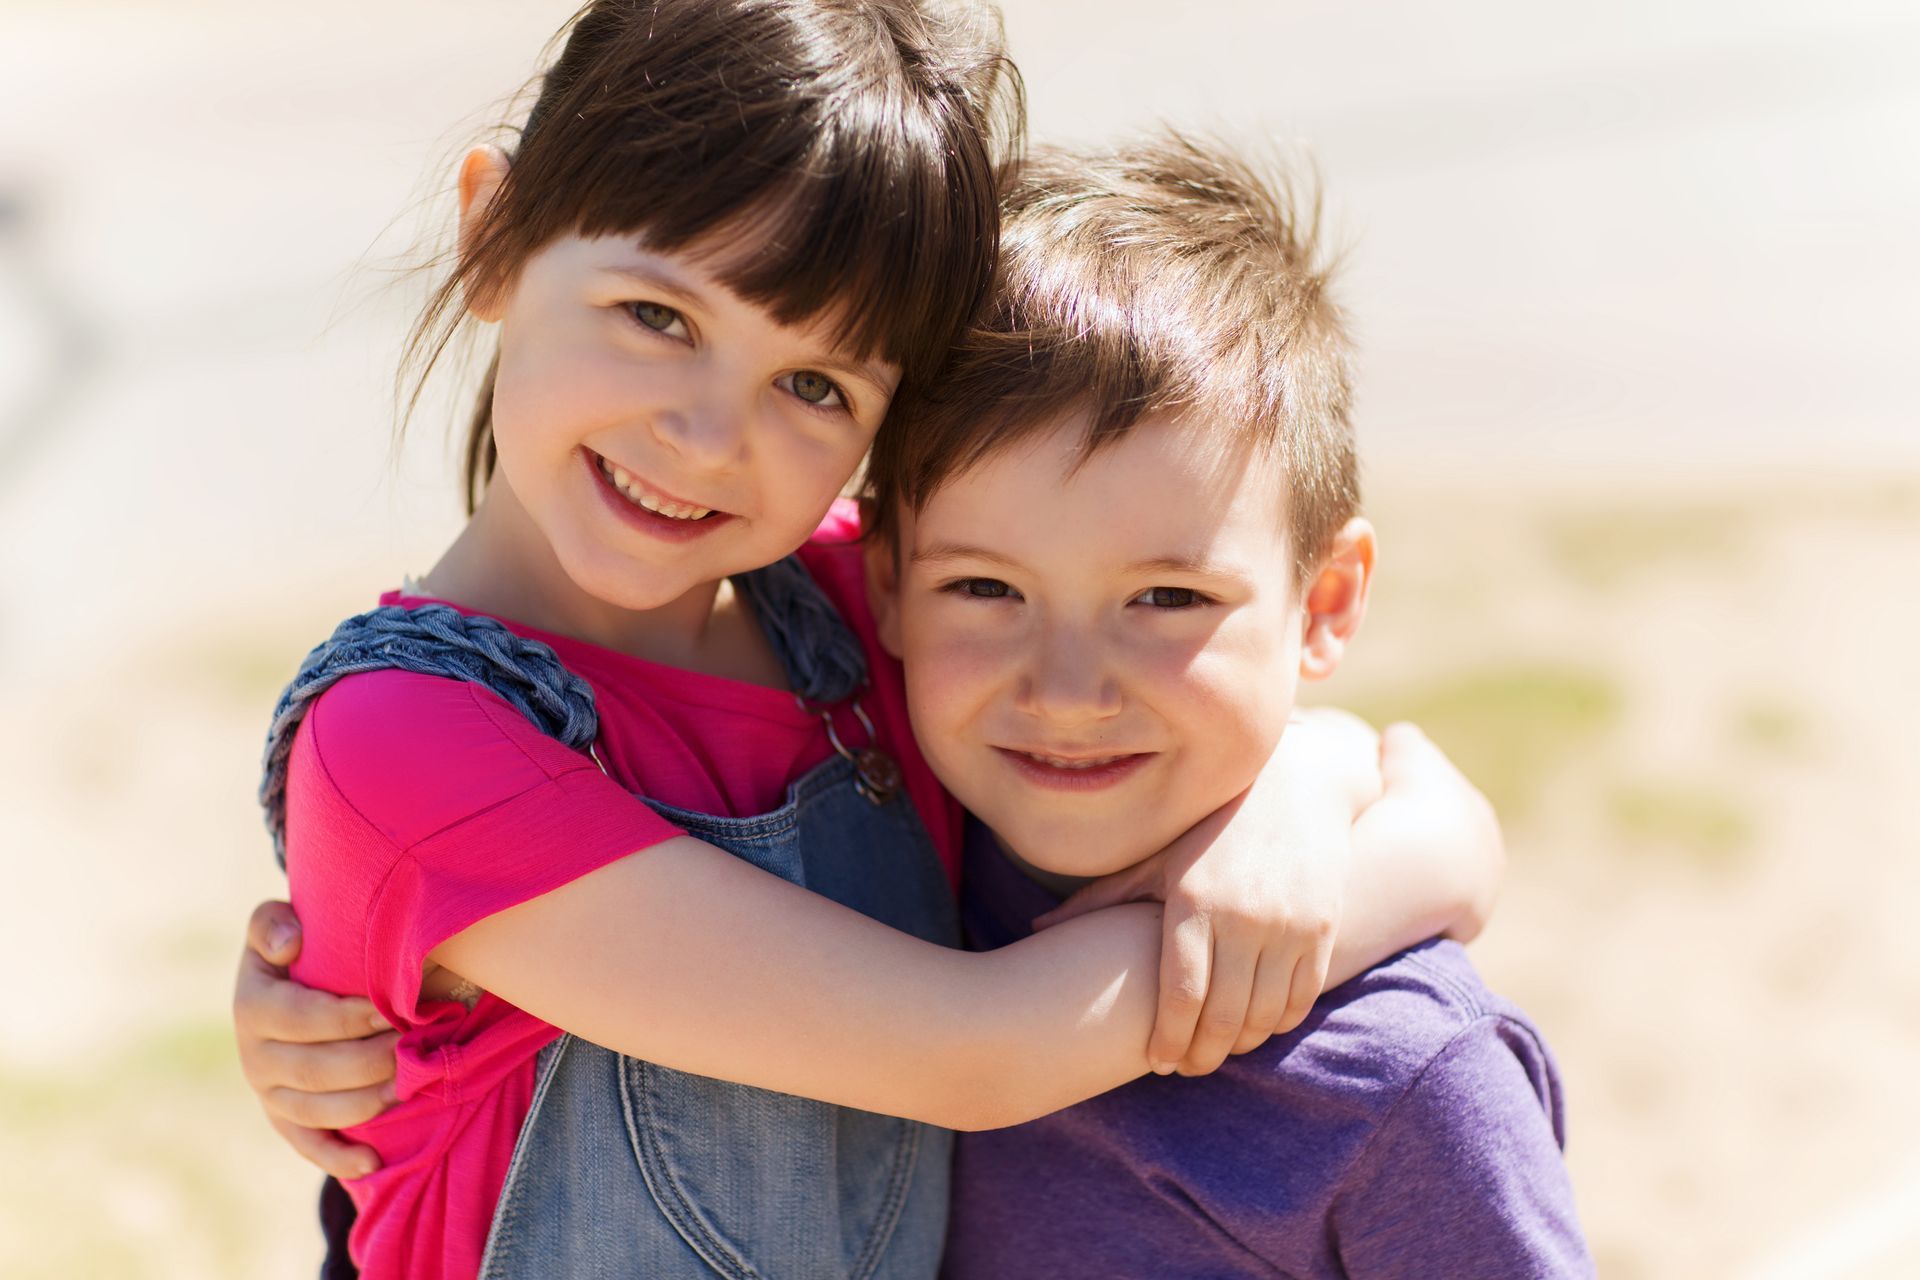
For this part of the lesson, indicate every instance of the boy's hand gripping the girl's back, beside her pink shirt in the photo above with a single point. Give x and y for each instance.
(308, 1055)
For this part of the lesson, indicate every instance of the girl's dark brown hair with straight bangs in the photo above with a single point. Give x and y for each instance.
(844, 149)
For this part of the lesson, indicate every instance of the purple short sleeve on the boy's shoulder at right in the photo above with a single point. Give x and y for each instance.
(1466, 1175)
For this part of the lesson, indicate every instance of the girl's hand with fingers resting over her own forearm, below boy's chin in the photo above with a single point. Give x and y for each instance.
(1255, 895)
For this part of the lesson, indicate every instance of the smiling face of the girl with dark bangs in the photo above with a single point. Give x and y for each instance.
(660, 431)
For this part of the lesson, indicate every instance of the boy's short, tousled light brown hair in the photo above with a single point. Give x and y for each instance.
(1163, 277)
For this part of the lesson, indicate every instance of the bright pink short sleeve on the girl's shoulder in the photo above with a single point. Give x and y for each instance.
(418, 807)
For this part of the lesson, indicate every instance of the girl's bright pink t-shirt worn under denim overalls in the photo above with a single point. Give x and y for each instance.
(418, 807)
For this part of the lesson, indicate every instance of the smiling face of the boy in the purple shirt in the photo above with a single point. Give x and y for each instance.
(1101, 657)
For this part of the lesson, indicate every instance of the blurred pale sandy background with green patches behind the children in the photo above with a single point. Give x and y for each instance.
(1637, 293)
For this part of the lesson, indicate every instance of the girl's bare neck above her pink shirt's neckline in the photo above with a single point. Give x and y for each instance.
(502, 565)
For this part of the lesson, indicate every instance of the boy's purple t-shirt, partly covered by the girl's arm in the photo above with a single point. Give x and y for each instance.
(1410, 1127)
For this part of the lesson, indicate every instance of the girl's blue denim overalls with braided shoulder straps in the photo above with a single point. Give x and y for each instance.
(633, 1170)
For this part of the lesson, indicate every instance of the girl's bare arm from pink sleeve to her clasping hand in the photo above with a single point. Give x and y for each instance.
(688, 957)
